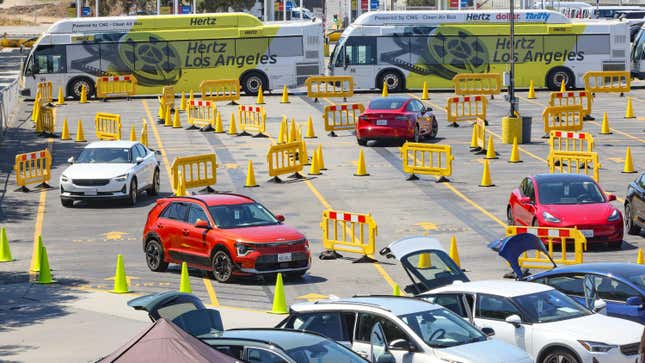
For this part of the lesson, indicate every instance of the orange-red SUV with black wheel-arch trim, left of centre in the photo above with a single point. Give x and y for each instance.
(228, 234)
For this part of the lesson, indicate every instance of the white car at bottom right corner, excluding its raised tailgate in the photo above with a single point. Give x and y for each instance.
(549, 325)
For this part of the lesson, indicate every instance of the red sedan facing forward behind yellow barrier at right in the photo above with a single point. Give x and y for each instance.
(567, 201)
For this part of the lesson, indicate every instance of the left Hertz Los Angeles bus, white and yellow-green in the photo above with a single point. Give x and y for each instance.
(175, 50)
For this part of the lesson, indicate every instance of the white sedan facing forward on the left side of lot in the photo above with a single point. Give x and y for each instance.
(110, 170)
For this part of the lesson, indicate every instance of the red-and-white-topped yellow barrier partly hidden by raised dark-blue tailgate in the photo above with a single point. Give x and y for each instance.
(548, 236)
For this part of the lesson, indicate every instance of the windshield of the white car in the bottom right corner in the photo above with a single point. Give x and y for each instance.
(550, 305)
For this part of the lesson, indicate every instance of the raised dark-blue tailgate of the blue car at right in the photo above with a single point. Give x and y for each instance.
(512, 247)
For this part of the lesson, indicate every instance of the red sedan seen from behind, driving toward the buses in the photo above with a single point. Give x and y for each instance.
(401, 118)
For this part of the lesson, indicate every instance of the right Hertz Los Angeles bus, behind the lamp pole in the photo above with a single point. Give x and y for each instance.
(406, 48)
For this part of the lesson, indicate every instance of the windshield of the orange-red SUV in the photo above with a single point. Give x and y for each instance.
(241, 215)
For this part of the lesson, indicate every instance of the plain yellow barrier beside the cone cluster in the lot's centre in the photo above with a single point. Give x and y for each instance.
(286, 158)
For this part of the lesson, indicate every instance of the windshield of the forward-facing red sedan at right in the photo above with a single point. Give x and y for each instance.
(569, 192)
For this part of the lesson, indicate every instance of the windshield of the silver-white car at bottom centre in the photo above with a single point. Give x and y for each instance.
(441, 328)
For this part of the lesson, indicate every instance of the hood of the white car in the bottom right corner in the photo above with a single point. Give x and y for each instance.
(597, 328)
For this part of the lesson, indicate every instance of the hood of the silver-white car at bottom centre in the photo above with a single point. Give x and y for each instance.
(488, 351)
